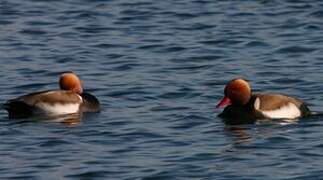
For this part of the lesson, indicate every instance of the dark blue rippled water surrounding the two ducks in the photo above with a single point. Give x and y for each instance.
(159, 68)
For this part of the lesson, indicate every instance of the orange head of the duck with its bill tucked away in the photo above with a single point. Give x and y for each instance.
(69, 81)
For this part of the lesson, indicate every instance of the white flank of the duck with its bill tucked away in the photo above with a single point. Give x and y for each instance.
(59, 108)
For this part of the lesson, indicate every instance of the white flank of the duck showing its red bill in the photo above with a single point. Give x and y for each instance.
(290, 111)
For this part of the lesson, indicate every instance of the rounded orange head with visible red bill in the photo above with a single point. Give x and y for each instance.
(236, 92)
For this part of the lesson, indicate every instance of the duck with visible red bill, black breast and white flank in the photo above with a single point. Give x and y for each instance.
(243, 107)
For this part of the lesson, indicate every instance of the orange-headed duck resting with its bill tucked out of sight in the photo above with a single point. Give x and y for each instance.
(69, 99)
